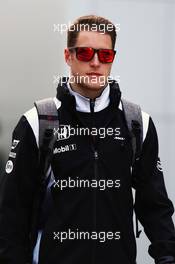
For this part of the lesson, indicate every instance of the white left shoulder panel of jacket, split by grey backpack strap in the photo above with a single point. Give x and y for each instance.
(32, 118)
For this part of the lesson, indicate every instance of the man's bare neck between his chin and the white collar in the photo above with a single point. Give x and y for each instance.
(87, 92)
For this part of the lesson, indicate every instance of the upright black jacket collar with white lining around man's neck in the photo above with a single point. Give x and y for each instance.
(110, 95)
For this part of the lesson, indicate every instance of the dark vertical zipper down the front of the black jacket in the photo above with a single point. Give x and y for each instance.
(95, 152)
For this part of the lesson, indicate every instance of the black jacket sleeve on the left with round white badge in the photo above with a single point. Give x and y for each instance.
(17, 192)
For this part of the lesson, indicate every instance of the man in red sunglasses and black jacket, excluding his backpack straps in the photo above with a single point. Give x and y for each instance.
(89, 216)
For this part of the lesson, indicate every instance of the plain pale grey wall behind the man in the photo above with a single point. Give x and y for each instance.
(32, 53)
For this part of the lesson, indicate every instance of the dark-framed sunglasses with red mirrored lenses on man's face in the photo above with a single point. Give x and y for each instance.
(86, 54)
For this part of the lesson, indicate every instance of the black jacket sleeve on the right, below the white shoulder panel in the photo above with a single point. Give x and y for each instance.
(152, 205)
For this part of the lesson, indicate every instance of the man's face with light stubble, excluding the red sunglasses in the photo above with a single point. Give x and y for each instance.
(92, 74)
